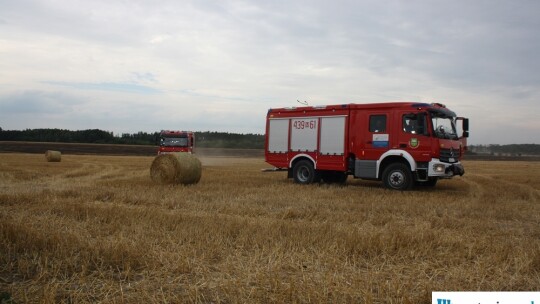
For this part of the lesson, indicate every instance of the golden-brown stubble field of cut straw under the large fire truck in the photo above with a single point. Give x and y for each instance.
(96, 229)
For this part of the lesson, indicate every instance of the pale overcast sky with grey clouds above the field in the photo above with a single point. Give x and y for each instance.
(140, 65)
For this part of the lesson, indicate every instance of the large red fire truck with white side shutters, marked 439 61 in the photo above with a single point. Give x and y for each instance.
(400, 143)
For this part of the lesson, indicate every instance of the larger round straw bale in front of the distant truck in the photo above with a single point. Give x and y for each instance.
(176, 168)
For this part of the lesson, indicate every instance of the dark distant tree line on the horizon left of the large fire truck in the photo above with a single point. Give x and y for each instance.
(202, 139)
